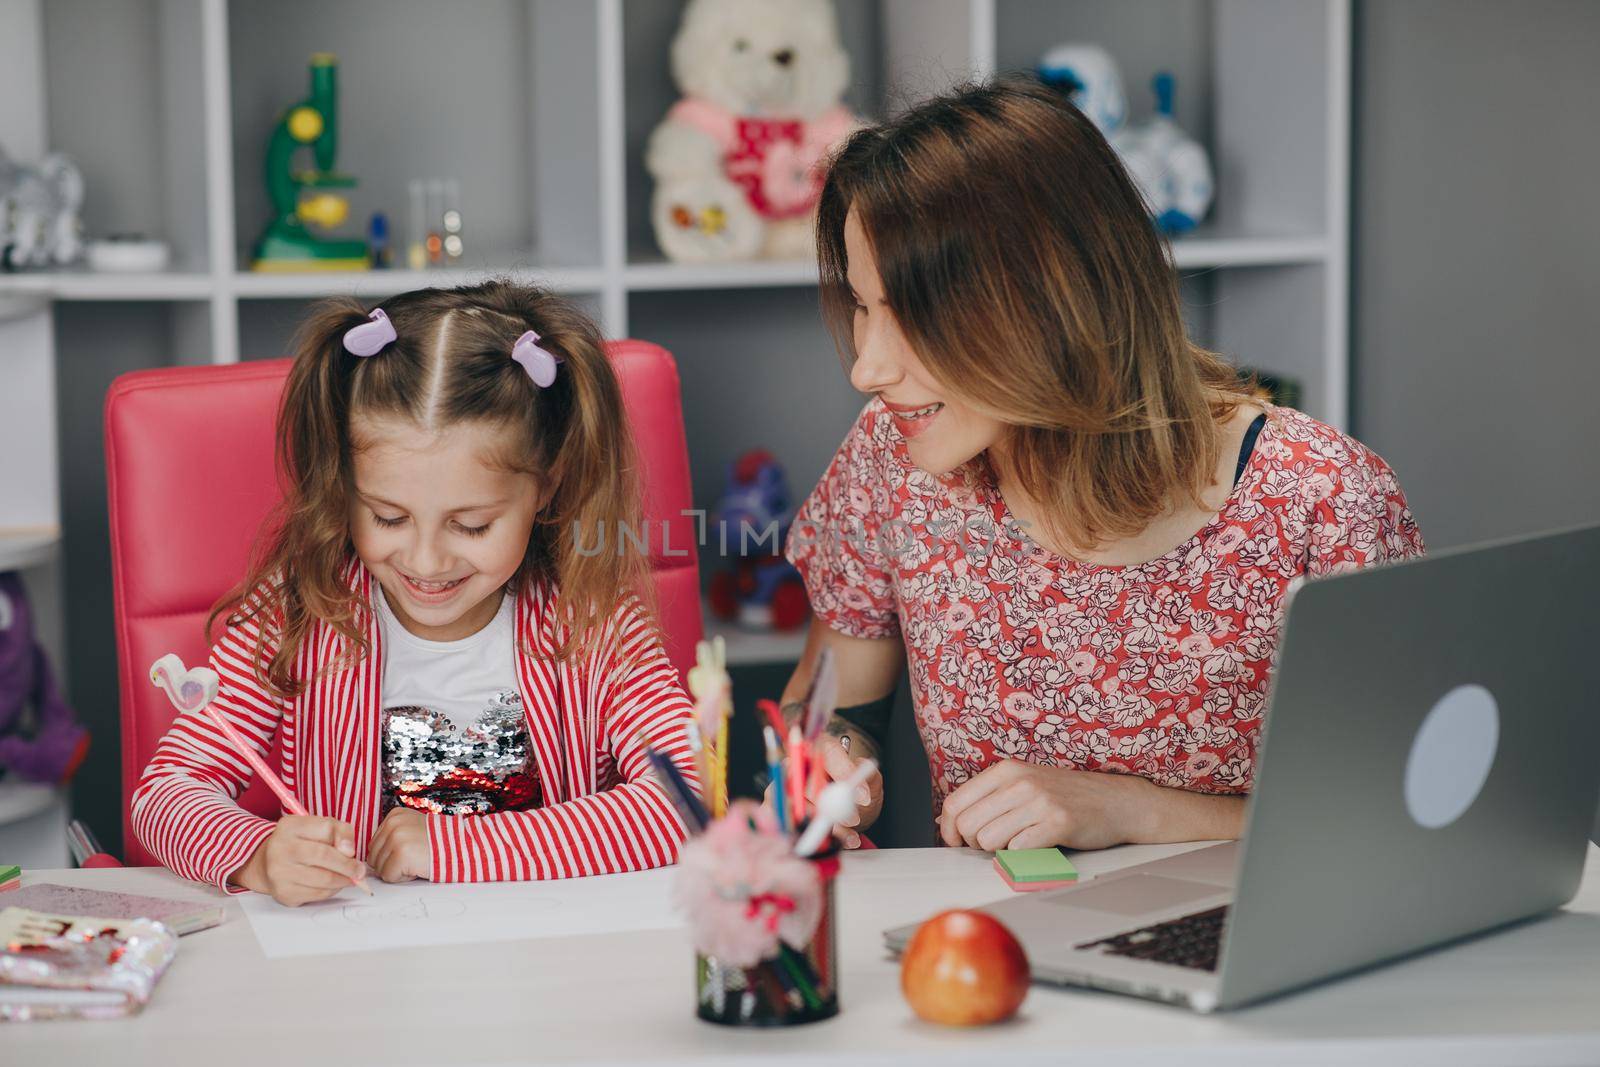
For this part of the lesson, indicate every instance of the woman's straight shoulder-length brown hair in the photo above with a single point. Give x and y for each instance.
(1023, 268)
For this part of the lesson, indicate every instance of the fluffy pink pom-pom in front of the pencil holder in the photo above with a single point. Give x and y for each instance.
(745, 890)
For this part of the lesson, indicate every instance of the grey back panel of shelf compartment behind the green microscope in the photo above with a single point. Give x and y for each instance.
(498, 95)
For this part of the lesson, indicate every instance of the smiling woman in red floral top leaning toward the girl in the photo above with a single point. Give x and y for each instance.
(1076, 526)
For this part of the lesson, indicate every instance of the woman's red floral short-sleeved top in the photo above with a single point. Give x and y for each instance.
(1158, 669)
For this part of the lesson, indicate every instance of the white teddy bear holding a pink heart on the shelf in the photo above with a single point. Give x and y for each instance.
(738, 161)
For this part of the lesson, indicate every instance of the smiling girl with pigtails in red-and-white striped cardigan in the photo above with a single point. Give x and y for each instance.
(462, 693)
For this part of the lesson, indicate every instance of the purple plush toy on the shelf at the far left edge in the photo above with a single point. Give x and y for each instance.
(39, 738)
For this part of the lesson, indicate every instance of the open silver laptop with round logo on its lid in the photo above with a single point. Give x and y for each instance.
(1430, 772)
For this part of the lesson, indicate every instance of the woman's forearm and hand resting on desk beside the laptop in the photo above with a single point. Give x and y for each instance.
(1025, 805)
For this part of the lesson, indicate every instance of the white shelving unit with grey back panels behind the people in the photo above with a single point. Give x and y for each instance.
(542, 108)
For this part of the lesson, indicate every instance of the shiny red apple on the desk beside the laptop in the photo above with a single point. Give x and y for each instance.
(964, 969)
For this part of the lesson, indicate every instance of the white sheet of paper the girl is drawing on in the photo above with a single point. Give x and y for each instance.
(426, 914)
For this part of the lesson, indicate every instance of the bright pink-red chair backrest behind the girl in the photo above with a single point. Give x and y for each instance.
(190, 465)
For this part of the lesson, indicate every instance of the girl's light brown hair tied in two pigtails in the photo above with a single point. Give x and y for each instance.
(450, 364)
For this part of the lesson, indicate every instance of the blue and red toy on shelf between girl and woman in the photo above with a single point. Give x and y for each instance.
(762, 591)
